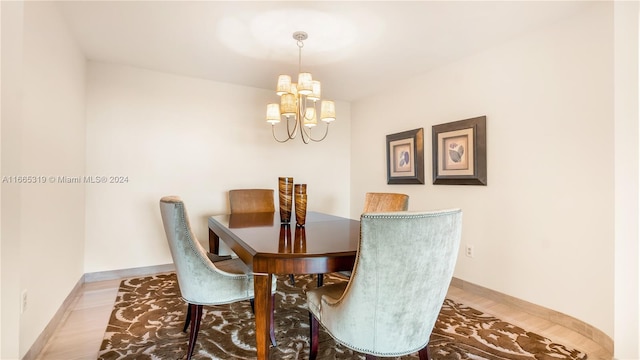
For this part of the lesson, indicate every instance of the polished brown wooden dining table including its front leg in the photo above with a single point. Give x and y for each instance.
(326, 243)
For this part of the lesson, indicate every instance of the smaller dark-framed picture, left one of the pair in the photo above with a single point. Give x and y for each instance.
(405, 157)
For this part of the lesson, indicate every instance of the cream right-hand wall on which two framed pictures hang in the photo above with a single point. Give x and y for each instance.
(543, 227)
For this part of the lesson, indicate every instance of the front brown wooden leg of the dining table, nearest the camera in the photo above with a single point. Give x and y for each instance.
(262, 293)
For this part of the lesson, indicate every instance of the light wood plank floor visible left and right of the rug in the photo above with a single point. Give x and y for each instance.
(79, 334)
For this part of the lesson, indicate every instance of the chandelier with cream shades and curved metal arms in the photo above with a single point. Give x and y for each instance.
(299, 103)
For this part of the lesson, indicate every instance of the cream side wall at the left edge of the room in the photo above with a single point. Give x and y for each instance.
(45, 220)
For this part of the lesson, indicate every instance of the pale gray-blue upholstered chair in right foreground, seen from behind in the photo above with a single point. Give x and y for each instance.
(389, 306)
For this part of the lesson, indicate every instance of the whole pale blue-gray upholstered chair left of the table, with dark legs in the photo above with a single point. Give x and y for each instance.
(202, 282)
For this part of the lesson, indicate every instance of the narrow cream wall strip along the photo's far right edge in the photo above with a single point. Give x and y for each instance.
(627, 249)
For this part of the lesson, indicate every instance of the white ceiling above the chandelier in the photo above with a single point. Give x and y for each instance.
(355, 48)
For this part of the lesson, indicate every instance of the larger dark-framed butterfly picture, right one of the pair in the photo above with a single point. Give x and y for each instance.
(460, 152)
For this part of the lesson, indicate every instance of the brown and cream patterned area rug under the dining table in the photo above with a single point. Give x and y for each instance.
(148, 316)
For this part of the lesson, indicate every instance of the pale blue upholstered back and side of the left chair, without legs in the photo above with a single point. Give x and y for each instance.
(199, 280)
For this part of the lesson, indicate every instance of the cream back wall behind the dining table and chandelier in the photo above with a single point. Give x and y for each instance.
(173, 135)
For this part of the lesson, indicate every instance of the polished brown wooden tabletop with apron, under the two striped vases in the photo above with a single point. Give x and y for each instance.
(258, 237)
